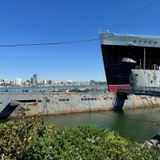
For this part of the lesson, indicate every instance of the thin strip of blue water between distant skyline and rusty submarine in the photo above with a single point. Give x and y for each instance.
(15, 89)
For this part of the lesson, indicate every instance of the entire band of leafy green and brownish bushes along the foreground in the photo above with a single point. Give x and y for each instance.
(36, 139)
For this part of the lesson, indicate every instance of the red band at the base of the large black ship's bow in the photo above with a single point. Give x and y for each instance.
(115, 88)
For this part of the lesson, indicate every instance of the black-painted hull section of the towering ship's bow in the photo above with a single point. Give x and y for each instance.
(117, 72)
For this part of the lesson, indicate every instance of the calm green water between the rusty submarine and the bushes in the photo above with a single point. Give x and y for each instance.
(137, 125)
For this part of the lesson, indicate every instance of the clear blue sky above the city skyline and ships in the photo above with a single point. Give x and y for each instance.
(42, 21)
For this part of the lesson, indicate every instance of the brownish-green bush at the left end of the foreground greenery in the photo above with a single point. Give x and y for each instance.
(16, 136)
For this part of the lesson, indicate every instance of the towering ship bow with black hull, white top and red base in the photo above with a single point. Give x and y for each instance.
(122, 53)
